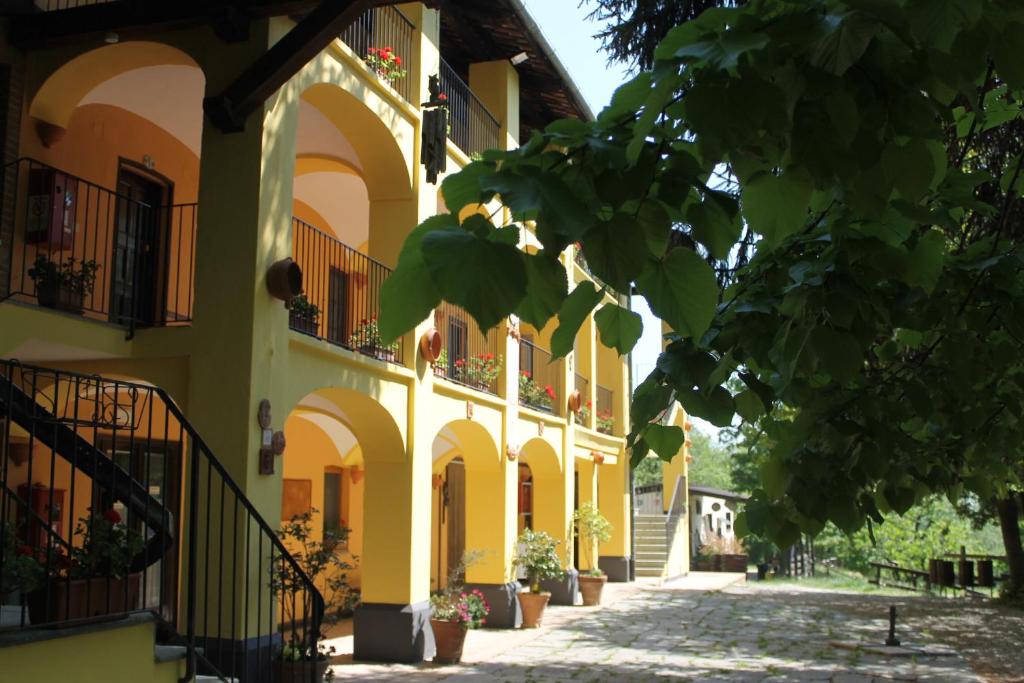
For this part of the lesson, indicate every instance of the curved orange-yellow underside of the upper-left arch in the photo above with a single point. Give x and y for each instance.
(69, 84)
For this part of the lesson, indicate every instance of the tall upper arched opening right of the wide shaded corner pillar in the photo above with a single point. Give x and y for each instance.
(352, 196)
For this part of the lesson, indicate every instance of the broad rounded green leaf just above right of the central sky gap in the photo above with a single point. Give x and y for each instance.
(682, 290)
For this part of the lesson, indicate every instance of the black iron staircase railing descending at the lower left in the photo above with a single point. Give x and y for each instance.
(106, 492)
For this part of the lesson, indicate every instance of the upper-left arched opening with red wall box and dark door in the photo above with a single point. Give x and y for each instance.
(109, 184)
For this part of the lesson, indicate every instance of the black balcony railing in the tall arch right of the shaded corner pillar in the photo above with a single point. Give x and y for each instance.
(343, 294)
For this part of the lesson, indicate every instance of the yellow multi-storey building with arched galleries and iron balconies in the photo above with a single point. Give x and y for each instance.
(162, 160)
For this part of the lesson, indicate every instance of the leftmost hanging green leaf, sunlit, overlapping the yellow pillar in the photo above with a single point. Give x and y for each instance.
(409, 294)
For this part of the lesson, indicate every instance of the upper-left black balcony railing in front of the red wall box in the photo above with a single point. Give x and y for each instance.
(75, 246)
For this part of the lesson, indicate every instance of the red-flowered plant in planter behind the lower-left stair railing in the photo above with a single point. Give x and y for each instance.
(96, 579)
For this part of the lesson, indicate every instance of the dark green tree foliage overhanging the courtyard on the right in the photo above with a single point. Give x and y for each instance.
(821, 198)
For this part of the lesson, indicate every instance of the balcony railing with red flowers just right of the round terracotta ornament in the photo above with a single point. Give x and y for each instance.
(468, 357)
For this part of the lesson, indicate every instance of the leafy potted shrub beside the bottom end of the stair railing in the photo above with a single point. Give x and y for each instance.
(323, 562)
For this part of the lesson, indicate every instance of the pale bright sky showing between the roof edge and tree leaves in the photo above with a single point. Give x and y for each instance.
(566, 27)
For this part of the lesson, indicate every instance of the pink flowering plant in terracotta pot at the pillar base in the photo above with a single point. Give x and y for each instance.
(454, 612)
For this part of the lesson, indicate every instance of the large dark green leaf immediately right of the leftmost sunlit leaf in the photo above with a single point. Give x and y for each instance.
(487, 298)
